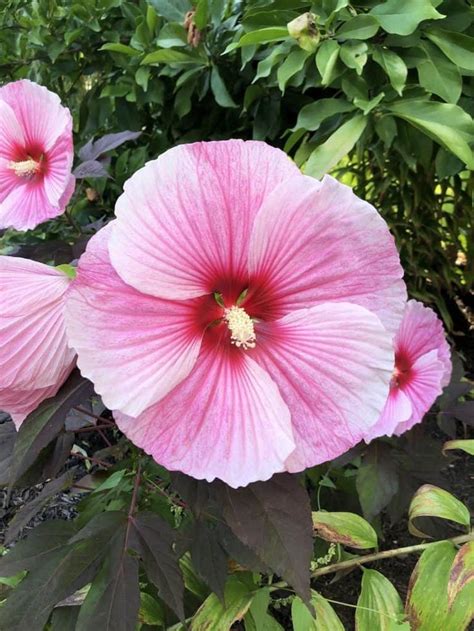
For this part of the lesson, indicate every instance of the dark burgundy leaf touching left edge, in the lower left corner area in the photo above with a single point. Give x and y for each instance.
(36, 549)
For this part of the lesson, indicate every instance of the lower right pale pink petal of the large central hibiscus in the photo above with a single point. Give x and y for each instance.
(332, 364)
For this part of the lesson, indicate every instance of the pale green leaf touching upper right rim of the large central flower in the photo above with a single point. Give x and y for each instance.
(338, 145)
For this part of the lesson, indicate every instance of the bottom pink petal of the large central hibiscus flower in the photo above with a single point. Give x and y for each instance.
(227, 420)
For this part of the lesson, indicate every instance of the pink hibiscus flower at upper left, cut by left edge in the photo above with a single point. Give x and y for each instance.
(36, 154)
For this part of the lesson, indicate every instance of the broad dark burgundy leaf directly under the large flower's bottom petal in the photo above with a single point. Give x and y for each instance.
(273, 519)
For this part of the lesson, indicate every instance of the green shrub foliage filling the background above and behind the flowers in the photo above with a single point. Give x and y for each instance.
(378, 93)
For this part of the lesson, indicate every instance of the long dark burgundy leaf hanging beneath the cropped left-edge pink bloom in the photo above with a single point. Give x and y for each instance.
(45, 423)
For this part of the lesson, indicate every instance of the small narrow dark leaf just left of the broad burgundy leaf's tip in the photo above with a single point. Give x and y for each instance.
(209, 557)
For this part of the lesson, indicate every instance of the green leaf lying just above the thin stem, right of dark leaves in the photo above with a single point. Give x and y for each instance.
(346, 528)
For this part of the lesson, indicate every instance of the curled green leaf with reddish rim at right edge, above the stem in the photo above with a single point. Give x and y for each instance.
(431, 501)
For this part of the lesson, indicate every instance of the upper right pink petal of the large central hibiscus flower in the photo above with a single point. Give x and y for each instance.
(315, 242)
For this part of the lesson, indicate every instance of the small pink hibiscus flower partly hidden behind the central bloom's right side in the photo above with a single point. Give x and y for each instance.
(422, 370)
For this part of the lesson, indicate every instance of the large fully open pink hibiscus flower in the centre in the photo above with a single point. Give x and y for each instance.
(224, 315)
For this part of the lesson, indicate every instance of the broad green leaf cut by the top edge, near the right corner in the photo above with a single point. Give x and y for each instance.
(402, 17)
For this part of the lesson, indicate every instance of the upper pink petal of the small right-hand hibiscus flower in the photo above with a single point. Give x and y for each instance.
(422, 331)
